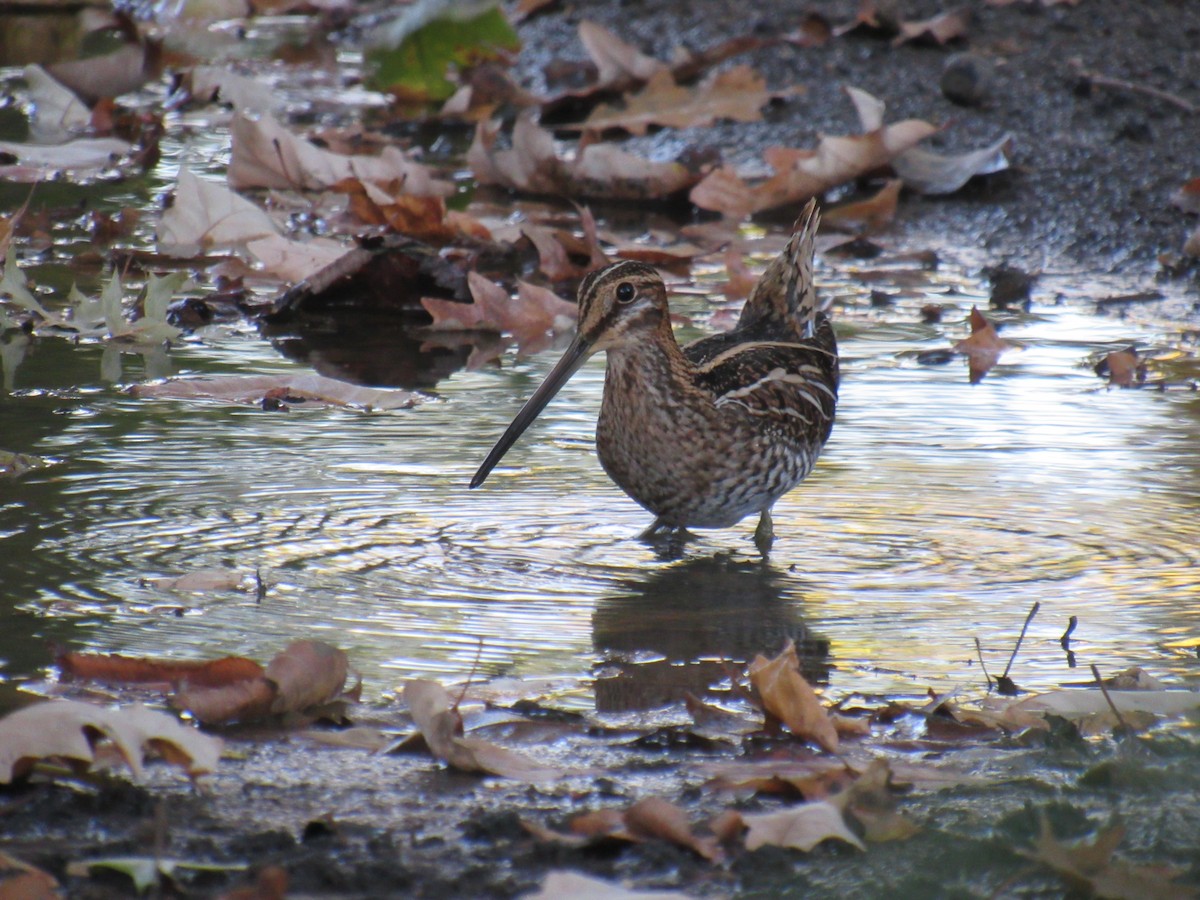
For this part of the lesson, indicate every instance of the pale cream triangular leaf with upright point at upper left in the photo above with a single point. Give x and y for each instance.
(205, 217)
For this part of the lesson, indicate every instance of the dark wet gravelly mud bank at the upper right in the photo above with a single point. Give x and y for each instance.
(1094, 166)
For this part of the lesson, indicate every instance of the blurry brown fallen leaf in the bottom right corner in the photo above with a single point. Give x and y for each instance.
(1091, 868)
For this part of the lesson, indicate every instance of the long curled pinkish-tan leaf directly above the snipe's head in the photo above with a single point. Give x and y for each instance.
(599, 170)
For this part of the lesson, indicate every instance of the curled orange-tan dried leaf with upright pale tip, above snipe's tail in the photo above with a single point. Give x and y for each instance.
(802, 175)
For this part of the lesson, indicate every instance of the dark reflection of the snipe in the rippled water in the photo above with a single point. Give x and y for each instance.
(687, 628)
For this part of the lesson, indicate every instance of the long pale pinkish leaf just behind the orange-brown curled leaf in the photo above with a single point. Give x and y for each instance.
(268, 155)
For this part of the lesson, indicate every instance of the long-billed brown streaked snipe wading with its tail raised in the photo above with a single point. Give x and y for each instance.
(711, 433)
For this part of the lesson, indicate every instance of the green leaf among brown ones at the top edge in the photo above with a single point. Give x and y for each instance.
(416, 65)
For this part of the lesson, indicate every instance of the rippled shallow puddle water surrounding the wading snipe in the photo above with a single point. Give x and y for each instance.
(939, 514)
